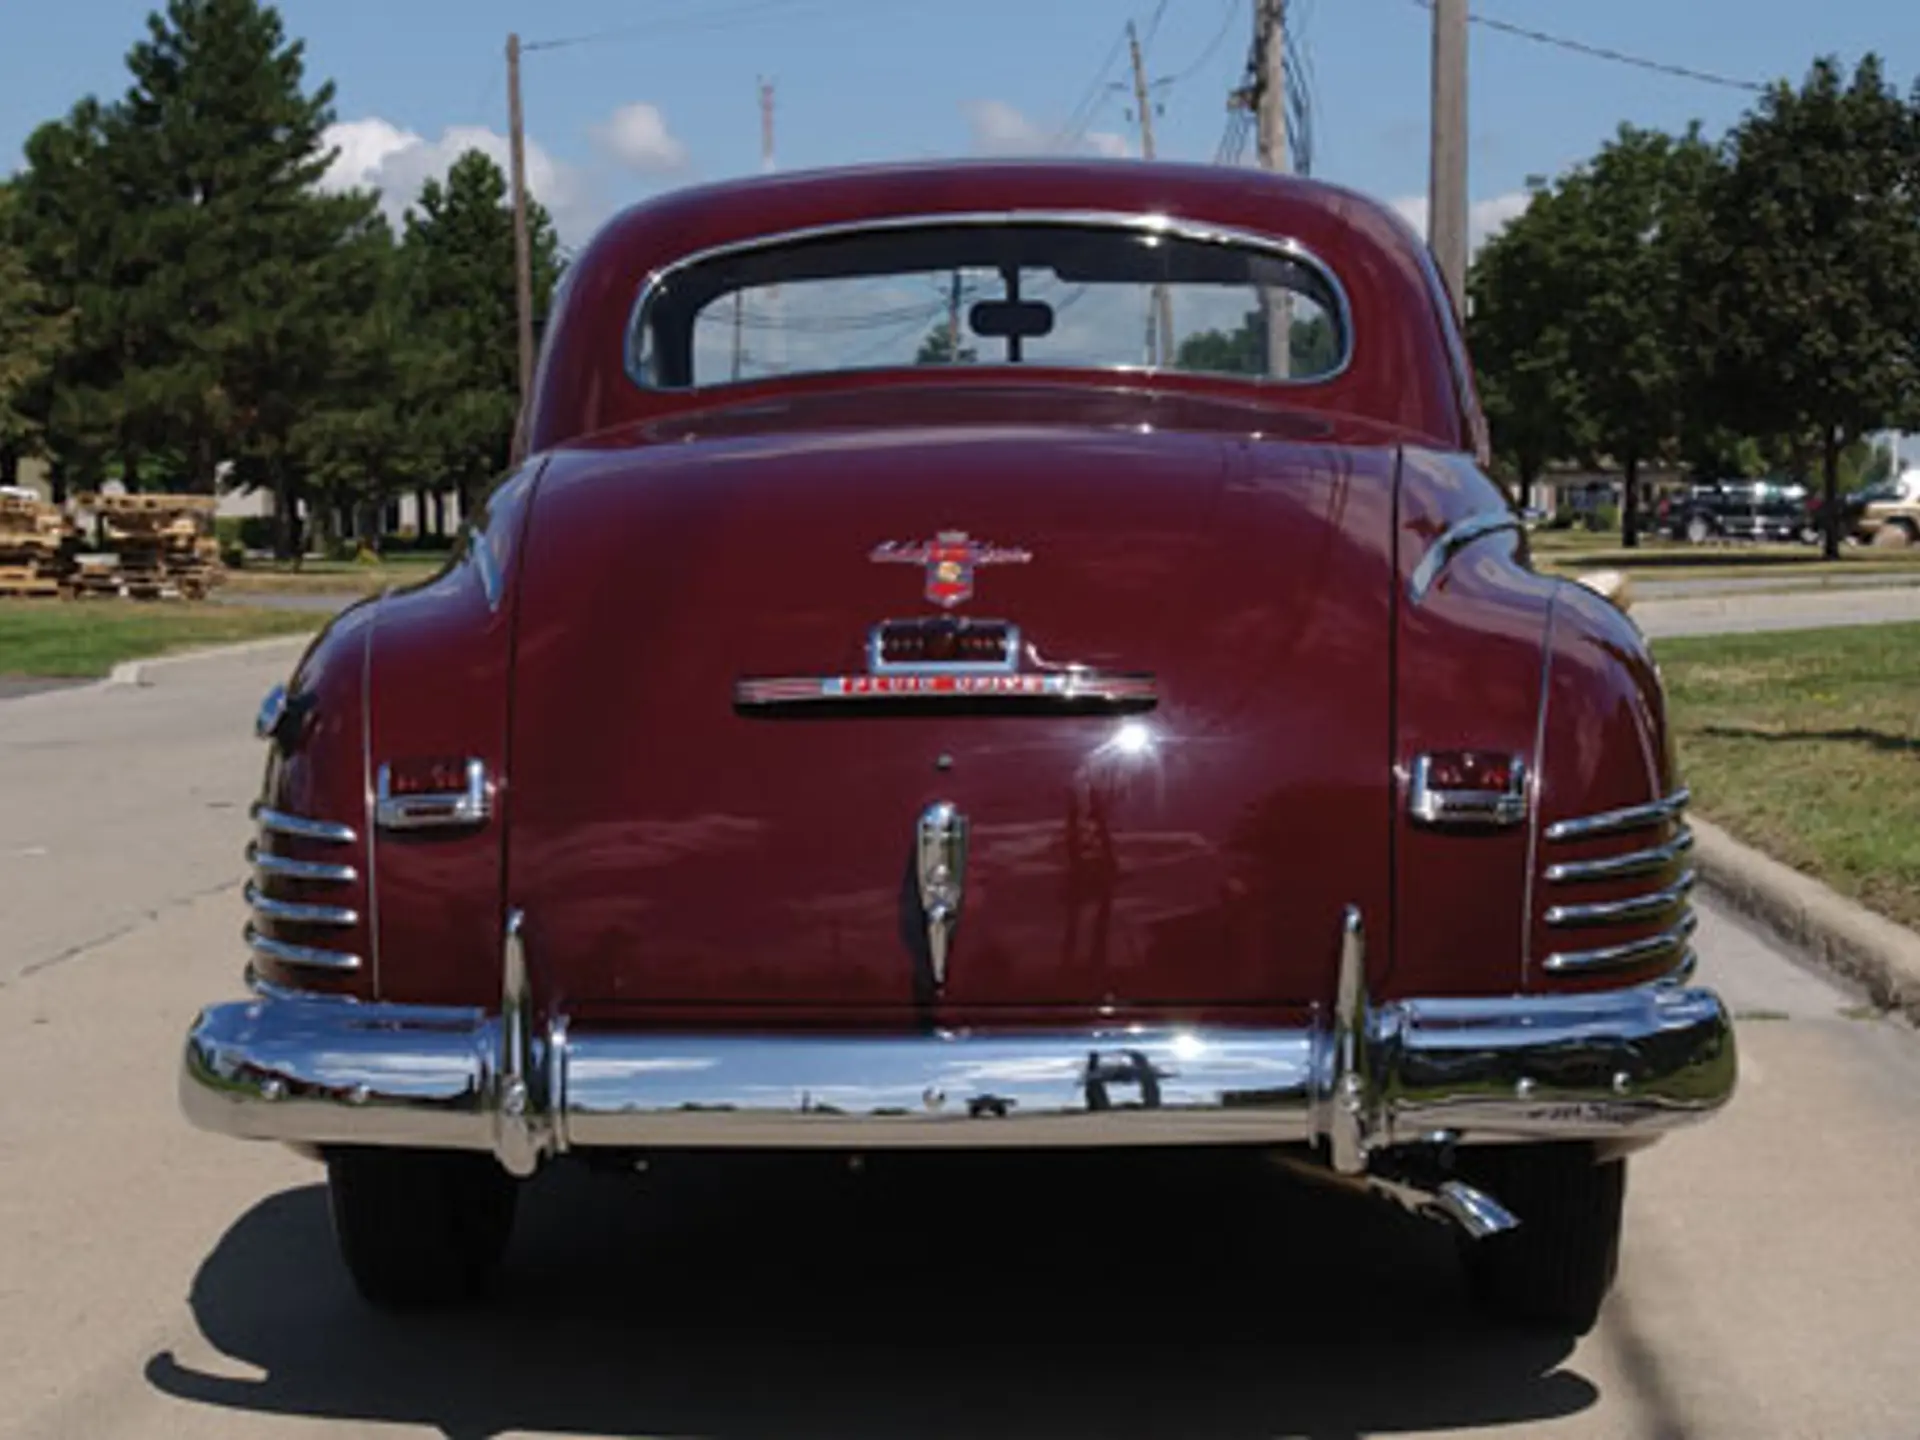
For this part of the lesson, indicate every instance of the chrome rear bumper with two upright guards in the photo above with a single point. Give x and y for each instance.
(1360, 1080)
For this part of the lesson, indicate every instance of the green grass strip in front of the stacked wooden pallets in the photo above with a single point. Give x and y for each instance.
(89, 638)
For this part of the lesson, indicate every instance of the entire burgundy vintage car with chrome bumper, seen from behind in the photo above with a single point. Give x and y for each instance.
(982, 656)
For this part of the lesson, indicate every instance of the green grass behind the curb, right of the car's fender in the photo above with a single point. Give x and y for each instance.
(1808, 746)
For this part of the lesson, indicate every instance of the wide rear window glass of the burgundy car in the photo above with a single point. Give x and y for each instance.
(1059, 295)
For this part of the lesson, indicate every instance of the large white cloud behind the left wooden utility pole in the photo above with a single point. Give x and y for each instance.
(377, 155)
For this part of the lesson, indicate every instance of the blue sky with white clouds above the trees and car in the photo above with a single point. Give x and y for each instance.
(673, 99)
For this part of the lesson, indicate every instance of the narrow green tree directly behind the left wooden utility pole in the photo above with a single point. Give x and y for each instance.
(462, 306)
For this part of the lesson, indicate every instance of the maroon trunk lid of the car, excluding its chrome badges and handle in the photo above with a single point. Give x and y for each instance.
(673, 850)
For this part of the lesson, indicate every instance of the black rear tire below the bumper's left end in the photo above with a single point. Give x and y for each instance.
(420, 1228)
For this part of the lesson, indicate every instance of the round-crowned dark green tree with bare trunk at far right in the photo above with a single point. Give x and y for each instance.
(1808, 299)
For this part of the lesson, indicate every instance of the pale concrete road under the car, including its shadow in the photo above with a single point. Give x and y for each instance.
(158, 1284)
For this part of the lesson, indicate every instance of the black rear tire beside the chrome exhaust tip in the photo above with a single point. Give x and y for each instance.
(1556, 1270)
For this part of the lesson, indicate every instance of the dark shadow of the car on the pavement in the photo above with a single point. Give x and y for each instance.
(928, 1295)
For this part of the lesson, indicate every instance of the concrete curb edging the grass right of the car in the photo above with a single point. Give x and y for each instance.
(1840, 934)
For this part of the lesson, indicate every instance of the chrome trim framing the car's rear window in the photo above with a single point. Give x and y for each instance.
(1115, 220)
